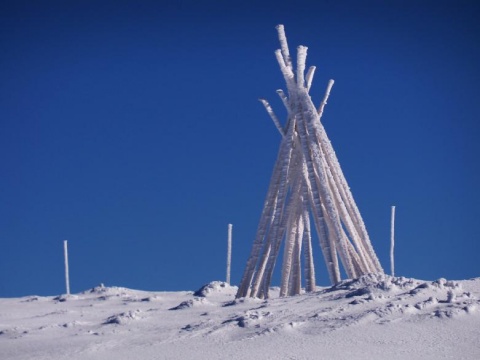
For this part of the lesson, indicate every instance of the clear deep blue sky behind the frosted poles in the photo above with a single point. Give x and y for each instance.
(133, 130)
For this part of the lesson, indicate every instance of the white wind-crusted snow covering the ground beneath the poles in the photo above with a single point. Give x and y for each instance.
(373, 317)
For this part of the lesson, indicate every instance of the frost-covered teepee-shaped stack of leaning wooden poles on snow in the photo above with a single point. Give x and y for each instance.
(307, 183)
